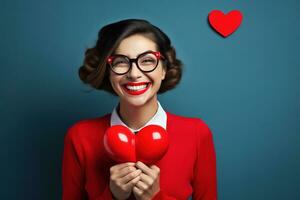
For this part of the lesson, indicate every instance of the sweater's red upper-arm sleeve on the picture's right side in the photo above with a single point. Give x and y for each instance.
(205, 179)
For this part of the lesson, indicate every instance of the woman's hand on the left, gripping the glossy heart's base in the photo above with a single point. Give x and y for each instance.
(122, 179)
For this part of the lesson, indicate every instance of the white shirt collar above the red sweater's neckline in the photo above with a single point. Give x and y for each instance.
(160, 118)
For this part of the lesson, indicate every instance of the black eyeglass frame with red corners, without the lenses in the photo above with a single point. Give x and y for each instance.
(157, 54)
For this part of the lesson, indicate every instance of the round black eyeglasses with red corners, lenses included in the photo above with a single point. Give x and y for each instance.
(146, 62)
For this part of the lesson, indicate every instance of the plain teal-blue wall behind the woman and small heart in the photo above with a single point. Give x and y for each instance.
(246, 87)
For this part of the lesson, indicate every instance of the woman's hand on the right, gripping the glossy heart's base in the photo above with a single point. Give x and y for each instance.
(148, 185)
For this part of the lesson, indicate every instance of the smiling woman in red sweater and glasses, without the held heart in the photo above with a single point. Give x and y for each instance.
(135, 61)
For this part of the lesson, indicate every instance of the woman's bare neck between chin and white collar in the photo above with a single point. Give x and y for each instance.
(137, 116)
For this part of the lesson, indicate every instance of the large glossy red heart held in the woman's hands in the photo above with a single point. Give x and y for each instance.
(149, 145)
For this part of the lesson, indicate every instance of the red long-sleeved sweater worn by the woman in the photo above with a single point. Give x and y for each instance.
(188, 168)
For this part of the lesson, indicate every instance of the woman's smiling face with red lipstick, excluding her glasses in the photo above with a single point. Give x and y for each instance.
(131, 47)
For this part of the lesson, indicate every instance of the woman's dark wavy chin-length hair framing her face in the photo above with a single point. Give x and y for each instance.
(95, 70)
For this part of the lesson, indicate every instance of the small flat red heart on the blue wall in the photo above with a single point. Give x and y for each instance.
(225, 24)
